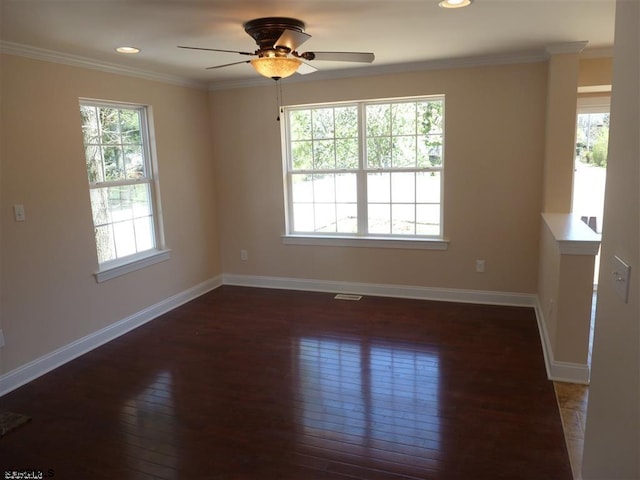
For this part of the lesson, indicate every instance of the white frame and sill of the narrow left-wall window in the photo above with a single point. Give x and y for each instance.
(158, 252)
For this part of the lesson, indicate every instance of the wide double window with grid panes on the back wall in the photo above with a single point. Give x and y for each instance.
(365, 169)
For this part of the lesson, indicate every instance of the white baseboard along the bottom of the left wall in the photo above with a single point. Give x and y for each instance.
(38, 367)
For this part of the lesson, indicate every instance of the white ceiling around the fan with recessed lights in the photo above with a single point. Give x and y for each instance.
(397, 31)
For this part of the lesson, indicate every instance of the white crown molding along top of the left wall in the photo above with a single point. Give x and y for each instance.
(37, 53)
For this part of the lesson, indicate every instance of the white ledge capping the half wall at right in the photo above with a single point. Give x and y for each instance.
(572, 235)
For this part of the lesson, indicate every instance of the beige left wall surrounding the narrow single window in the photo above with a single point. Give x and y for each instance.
(49, 295)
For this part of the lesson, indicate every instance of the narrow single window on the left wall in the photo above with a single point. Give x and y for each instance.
(121, 185)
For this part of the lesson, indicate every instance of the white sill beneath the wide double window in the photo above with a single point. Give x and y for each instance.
(367, 242)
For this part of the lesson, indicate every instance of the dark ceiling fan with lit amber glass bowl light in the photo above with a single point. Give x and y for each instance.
(278, 39)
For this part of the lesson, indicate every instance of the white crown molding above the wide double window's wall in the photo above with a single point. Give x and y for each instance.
(531, 56)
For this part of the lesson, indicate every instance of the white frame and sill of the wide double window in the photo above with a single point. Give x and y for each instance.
(362, 238)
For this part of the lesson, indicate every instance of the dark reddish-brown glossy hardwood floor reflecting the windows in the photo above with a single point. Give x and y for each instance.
(249, 383)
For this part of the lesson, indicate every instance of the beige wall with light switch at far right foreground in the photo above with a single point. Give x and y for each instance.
(612, 439)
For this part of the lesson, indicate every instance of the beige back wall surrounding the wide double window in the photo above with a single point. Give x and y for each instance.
(492, 193)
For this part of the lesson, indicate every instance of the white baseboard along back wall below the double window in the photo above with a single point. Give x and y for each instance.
(384, 290)
